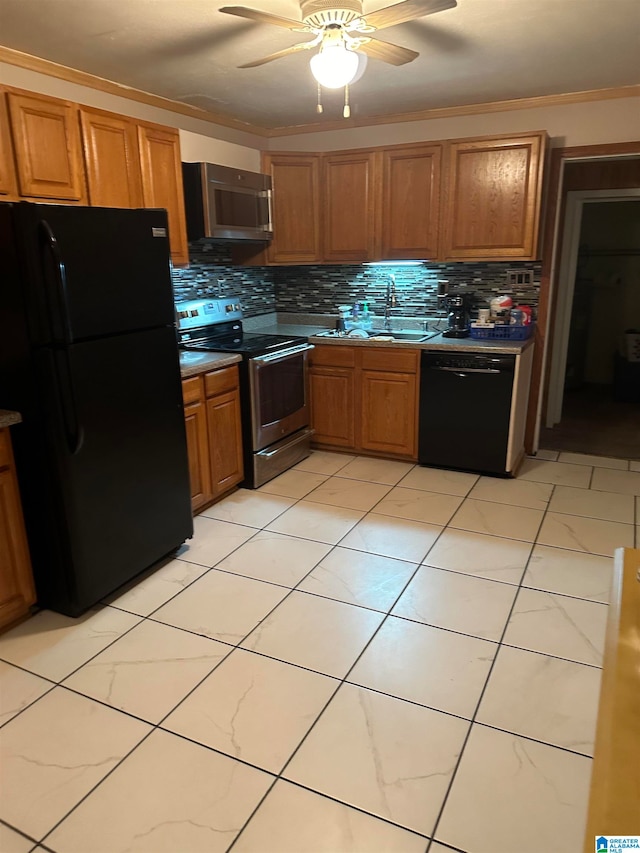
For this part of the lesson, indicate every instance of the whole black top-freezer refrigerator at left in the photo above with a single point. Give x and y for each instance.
(89, 357)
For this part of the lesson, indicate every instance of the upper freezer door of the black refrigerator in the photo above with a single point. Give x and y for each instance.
(94, 271)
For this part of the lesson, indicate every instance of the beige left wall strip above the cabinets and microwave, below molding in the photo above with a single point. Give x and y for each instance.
(199, 140)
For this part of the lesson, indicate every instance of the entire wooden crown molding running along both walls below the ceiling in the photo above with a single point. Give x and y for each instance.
(82, 78)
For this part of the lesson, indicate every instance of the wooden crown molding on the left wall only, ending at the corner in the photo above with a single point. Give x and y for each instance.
(82, 78)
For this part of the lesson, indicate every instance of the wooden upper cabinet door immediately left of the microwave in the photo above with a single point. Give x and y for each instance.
(162, 182)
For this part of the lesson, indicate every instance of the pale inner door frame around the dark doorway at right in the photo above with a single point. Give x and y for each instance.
(565, 283)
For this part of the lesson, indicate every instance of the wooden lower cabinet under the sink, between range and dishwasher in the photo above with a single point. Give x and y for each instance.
(365, 399)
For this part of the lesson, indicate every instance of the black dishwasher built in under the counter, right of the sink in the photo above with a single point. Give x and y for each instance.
(465, 408)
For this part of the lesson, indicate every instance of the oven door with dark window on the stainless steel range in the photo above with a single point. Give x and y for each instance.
(278, 388)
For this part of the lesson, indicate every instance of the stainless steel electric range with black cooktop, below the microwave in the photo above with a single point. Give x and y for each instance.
(273, 383)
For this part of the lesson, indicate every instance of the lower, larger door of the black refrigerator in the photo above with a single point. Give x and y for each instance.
(117, 496)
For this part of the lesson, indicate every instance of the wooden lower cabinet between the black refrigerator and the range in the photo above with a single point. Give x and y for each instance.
(214, 434)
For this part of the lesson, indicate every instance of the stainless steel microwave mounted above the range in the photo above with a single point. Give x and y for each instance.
(225, 203)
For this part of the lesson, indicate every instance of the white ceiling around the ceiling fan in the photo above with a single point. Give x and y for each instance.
(481, 51)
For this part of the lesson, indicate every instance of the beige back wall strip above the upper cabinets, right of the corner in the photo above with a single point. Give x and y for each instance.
(591, 123)
